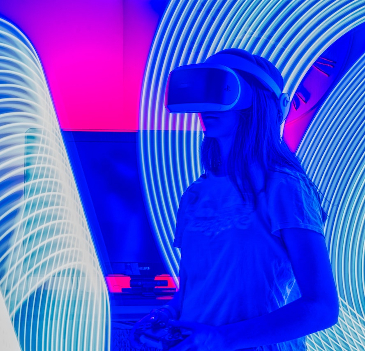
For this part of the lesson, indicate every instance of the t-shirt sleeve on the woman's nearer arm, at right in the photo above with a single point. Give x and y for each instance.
(293, 203)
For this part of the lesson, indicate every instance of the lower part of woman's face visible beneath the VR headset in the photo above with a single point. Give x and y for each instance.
(219, 124)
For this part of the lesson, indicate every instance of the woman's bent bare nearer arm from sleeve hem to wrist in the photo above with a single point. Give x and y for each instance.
(317, 309)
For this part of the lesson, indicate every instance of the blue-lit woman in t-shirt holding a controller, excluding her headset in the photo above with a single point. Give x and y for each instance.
(254, 271)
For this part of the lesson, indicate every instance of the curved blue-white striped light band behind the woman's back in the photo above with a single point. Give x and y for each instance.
(333, 153)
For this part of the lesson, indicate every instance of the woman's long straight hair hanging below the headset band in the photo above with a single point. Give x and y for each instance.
(257, 138)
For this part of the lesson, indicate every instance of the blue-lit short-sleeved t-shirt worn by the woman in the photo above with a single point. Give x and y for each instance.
(234, 260)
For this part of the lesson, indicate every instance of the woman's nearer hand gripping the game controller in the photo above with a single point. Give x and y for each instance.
(202, 338)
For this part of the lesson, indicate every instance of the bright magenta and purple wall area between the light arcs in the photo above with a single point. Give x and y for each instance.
(93, 53)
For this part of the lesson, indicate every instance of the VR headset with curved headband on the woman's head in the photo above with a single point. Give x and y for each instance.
(218, 85)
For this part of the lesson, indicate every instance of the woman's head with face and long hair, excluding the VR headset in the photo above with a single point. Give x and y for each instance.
(255, 132)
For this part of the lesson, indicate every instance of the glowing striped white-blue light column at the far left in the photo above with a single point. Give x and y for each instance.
(50, 276)
